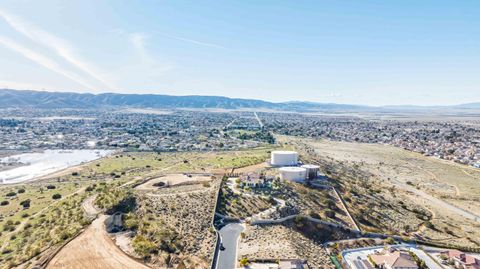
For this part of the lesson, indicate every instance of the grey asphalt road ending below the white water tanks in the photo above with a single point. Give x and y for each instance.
(229, 237)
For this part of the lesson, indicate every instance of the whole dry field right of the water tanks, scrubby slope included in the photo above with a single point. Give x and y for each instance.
(391, 190)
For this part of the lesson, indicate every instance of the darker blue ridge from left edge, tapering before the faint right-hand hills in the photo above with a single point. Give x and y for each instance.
(42, 99)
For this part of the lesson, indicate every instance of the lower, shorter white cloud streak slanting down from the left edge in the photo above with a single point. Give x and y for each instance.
(43, 61)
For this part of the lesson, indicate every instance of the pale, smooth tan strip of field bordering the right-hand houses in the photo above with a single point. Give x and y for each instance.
(435, 176)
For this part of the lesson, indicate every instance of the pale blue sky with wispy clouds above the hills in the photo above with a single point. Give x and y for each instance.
(359, 52)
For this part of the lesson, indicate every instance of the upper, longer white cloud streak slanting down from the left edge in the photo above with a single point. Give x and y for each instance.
(59, 45)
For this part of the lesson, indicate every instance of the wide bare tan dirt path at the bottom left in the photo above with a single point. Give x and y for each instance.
(93, 249)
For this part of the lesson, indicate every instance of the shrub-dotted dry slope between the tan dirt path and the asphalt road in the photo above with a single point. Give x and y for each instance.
(184, 220)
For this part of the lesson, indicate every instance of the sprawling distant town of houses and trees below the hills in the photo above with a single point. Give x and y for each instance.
(183, 130)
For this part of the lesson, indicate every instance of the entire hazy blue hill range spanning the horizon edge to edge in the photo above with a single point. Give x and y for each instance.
(53, 100)
